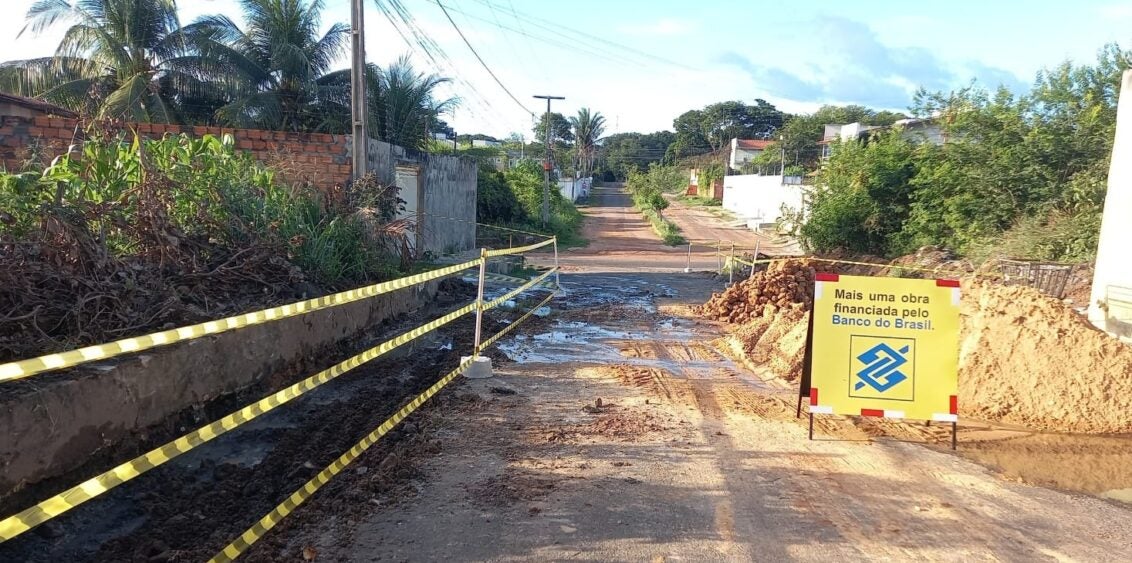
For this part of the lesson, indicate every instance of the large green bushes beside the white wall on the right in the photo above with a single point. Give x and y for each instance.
(1025, 174)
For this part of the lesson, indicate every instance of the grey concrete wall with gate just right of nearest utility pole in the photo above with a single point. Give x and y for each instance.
(440, 192)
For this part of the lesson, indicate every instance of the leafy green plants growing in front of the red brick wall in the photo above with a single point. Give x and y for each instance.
(182, 197)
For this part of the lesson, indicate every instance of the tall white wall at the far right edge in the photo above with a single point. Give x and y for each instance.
(1111, 303)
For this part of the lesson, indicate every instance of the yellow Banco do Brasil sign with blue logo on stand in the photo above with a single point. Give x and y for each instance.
(886, 347)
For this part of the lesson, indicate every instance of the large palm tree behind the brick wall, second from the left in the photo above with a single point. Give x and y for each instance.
(275, 67)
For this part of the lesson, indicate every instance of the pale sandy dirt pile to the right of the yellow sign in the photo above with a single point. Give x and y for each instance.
(1030, 360)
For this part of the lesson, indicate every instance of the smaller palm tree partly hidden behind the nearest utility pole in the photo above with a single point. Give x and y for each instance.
(402, 104)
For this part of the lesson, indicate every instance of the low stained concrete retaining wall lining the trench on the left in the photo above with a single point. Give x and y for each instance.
(55, 423)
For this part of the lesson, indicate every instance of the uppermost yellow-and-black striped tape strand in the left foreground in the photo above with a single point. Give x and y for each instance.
(29, 368)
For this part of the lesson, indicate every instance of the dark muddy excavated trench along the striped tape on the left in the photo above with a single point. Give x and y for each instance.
(192, 507)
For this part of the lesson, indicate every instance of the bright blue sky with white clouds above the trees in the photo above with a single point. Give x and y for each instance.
(642, 63)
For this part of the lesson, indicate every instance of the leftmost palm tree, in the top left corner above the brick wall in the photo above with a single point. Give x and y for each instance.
(119, 59)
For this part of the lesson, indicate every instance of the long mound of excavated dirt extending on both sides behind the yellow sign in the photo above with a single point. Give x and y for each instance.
(1025, 359)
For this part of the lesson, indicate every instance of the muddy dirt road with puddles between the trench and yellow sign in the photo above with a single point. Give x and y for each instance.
(689, 457)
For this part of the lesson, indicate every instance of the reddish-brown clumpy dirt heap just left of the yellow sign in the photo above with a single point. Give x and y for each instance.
(787, 285)
